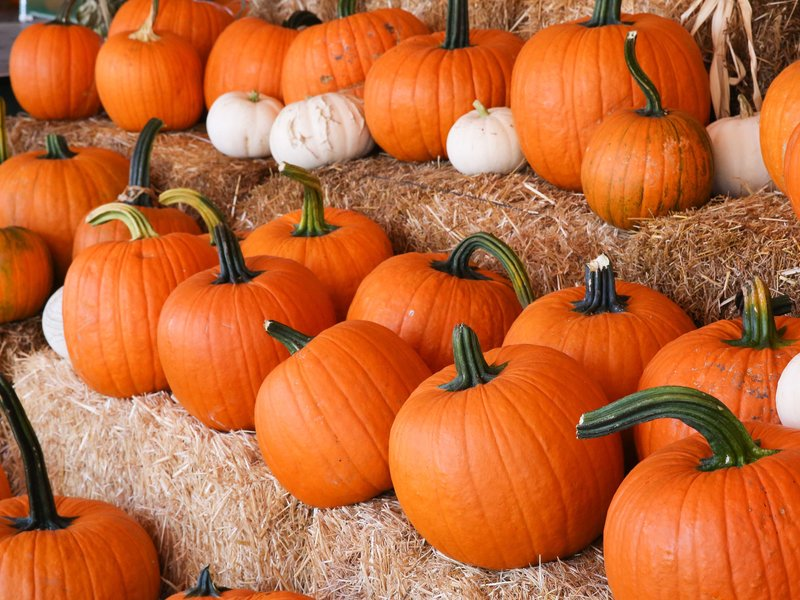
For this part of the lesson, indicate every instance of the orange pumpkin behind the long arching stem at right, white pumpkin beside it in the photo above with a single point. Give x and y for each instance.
(737, 361)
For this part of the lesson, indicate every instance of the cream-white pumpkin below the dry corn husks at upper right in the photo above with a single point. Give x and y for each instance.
(738, 165)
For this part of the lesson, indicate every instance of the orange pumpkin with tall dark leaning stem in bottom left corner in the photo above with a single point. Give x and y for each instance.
(58, 548)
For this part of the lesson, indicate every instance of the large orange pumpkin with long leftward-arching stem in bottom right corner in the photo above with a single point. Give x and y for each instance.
(699, 522)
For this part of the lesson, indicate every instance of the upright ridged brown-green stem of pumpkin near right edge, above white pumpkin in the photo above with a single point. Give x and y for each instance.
(758, 320)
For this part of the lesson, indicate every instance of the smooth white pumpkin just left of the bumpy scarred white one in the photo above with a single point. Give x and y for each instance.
(239, 123)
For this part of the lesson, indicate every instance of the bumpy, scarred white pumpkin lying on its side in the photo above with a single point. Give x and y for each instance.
(321, 130)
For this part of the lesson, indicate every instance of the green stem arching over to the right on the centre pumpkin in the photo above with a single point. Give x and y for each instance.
(458, 265)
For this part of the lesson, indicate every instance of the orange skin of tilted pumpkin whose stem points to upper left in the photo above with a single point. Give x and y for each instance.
(342, 390)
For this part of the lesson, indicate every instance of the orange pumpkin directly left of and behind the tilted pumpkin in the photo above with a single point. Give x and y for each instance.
(210, 341)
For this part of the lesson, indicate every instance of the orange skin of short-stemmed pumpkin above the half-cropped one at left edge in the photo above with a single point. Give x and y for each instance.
(51, 196)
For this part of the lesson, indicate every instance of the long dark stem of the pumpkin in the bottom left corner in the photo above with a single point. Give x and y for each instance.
(42, 513)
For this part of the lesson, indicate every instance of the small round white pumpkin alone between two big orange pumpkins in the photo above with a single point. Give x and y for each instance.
(484, 141)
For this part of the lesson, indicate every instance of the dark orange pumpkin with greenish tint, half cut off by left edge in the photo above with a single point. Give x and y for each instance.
(26, 277)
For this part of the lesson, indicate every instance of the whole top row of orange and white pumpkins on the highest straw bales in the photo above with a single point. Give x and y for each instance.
(561, 86)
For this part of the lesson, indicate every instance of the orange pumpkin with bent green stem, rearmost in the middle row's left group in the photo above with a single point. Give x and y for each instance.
(339, 246)
